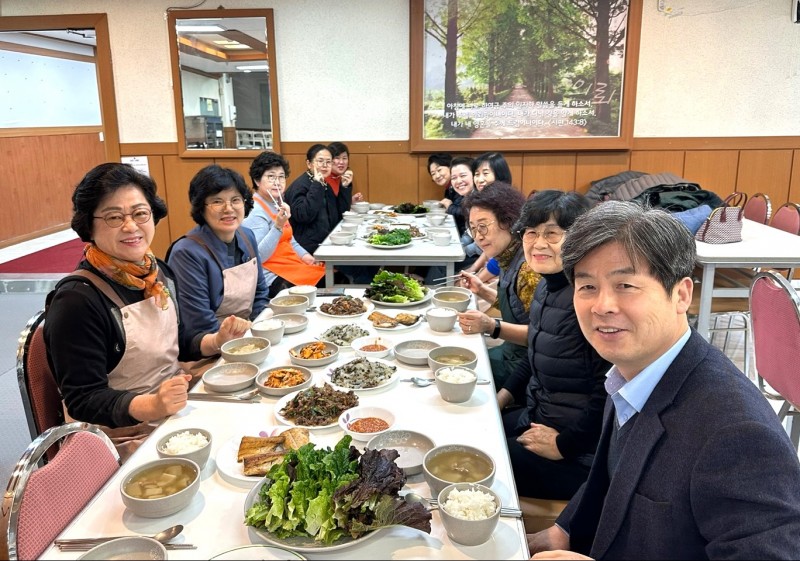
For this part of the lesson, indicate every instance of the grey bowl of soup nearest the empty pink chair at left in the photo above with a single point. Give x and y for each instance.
(160, 487)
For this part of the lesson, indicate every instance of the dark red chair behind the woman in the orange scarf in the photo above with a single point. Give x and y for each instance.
(38, 389)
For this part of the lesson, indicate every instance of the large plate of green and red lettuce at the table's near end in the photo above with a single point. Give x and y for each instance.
(323, 499)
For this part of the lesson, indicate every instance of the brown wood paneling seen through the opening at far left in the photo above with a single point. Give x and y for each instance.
(38, 174)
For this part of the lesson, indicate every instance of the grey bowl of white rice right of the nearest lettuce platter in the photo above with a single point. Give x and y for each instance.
(469, 512)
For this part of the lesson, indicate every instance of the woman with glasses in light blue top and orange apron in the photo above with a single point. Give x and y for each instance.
(285, 262)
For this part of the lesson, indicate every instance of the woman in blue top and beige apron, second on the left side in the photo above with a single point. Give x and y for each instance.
(217, 262)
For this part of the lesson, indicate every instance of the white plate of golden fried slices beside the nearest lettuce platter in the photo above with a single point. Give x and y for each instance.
(244, 460)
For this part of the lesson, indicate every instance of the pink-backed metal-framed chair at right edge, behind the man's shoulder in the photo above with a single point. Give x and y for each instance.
(775, 319)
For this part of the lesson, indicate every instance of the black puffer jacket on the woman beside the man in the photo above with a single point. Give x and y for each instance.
(564, 375)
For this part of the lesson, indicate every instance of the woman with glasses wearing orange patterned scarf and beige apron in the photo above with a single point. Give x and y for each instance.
(112, 332)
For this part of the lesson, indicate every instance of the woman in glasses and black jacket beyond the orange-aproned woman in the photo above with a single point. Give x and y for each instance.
(315, 209)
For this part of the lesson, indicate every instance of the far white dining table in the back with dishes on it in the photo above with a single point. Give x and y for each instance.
(422, 251)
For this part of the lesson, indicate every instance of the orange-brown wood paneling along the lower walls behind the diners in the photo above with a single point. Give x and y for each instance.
(388, 172)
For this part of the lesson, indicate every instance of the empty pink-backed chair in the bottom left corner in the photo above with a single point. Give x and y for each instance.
(39, 503)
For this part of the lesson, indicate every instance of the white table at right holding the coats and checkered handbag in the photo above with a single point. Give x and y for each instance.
(761, 246)
